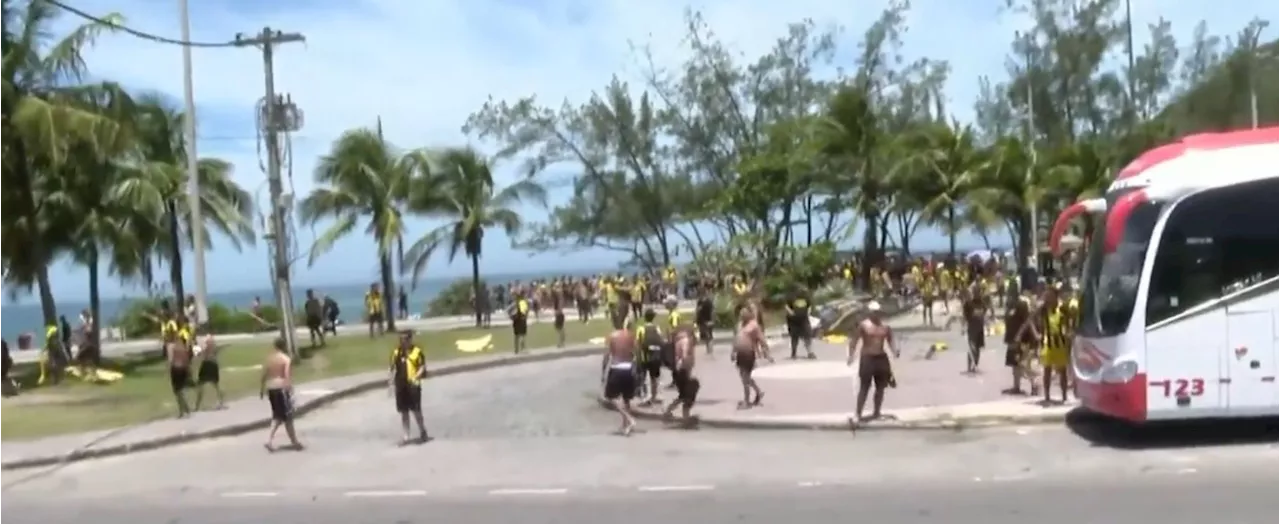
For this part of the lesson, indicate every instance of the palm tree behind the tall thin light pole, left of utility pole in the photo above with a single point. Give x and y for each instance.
(226, 207)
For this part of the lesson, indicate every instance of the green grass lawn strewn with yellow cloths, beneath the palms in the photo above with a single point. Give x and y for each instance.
(144, 394)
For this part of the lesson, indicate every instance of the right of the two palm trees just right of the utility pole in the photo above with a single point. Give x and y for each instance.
(461, 190)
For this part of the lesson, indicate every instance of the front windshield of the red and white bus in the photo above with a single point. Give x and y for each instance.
(1109, 288)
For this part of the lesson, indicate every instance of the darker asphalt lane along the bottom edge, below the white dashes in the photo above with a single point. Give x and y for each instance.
(1238, 499)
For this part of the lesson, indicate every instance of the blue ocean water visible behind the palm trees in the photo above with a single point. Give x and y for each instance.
(25, 317)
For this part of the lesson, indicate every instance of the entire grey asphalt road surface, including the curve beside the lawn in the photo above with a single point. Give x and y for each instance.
(528, 444)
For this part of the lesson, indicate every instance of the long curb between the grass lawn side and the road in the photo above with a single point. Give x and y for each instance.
(299, 412)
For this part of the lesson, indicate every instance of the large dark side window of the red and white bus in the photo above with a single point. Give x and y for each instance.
(1217, 244)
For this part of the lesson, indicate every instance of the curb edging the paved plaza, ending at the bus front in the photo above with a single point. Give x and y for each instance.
(941, 423)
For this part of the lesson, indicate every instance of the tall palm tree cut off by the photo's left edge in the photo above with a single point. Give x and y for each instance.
(40, 83)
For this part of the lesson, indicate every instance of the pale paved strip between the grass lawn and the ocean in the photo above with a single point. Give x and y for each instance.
(433, 323)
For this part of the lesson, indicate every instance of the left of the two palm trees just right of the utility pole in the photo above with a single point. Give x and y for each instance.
(363, 177)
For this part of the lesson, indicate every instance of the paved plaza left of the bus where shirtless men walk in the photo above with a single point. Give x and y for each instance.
(821, 394)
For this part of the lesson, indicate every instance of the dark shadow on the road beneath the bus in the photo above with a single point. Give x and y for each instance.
(1101, 431)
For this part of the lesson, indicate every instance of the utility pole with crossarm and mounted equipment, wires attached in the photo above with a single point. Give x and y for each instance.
(277, 115)
